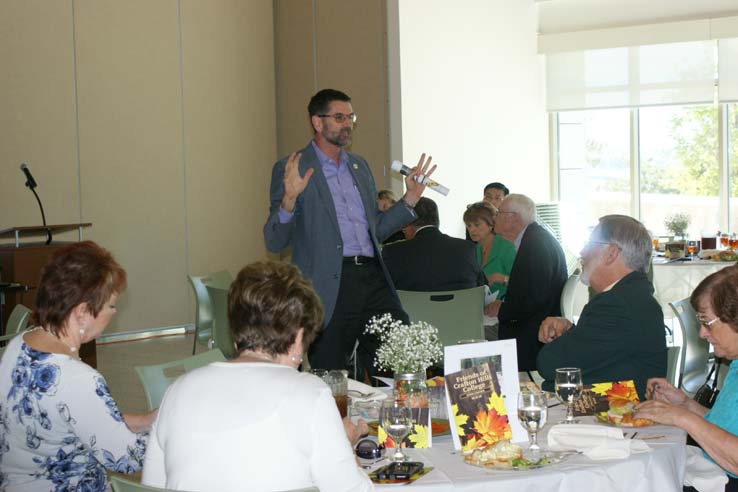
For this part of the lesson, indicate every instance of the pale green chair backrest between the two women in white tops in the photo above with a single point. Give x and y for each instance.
(157, 378)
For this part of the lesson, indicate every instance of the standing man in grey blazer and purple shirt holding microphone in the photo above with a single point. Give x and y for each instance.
(323, 204)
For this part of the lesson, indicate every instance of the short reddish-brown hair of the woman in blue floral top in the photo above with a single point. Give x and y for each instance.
(82, 272)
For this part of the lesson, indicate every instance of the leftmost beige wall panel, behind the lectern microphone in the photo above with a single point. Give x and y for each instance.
(37, 112)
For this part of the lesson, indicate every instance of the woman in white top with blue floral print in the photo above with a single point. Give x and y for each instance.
(59, 427)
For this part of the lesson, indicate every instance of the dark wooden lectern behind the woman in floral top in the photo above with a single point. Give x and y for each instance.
(21, 263)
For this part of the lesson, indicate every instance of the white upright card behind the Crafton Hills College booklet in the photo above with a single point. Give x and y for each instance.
(503, 363)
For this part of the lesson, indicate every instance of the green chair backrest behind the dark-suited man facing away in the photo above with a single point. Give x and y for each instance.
(457, 314)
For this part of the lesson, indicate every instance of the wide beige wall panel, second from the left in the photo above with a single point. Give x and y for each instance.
(131, 151)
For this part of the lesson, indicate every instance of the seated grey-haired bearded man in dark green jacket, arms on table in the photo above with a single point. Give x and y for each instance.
(620, 333)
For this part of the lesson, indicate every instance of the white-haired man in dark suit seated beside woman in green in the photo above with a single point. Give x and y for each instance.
(536, 279)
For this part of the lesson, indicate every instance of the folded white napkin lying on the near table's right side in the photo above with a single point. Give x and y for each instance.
(596, 442)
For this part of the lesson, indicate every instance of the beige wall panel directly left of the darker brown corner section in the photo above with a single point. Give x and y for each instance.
(230, 135)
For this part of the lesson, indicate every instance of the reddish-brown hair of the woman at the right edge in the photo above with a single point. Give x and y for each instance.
(721, 291)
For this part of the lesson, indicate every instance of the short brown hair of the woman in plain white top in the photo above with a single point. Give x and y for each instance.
(268, 303)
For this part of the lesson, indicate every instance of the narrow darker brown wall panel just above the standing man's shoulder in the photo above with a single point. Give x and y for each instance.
(295, 84)
